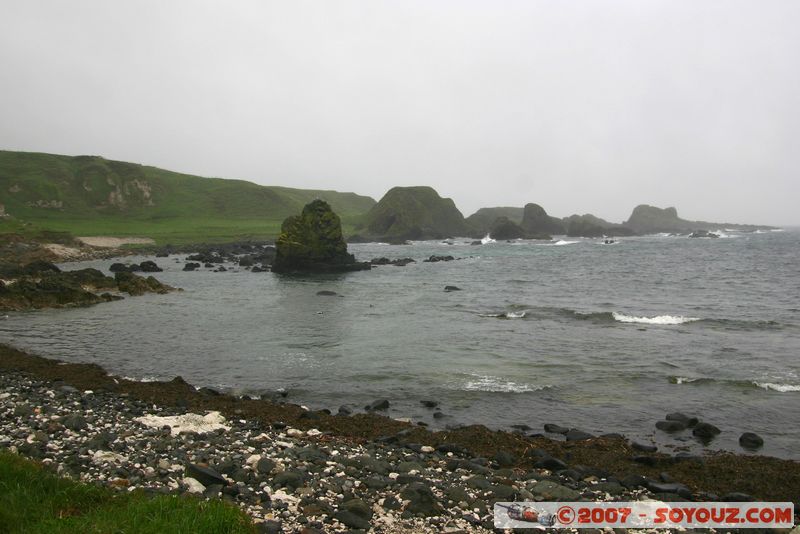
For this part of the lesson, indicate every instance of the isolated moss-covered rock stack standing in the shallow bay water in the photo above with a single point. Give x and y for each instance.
(313, 242)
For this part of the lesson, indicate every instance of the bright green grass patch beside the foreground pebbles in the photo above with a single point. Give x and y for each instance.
(33, 500)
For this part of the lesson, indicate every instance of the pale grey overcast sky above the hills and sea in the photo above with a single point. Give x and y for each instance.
(580, 106)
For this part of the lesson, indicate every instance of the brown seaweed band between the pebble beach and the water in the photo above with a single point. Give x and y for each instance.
(716, 474)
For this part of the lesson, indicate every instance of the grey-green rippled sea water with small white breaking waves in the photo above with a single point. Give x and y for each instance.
(605, 338)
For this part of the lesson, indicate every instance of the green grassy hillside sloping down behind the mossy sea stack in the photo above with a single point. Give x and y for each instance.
(95, 196)
